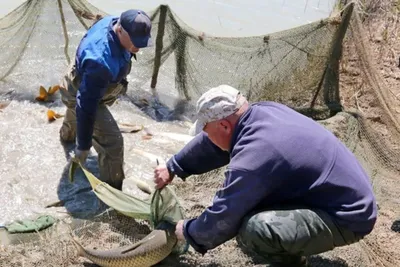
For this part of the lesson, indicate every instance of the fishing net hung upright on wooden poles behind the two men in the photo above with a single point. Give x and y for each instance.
(271, 67)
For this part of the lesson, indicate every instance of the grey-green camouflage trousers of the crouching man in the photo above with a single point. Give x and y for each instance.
(284, 235)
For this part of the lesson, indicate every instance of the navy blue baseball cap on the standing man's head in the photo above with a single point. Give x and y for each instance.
(138, 25)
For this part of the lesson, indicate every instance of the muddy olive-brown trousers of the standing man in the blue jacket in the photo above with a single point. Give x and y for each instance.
(107, 138)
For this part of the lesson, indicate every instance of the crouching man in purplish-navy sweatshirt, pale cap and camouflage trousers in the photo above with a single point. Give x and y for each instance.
(291, 188)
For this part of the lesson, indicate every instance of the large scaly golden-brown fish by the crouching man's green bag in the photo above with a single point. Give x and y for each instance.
(150, 250)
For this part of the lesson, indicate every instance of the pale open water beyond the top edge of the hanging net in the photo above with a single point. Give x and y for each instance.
(224, 17)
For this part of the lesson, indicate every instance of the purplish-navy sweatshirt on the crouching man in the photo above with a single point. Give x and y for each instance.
(277, 156)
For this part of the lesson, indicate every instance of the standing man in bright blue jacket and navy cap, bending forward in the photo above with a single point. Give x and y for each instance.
(95, 79)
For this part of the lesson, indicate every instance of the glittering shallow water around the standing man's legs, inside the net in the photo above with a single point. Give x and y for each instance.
(34, 163)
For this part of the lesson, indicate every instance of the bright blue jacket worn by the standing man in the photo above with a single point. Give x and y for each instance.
(100, 60)
